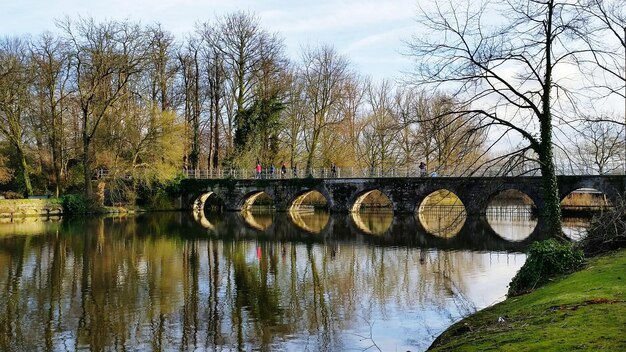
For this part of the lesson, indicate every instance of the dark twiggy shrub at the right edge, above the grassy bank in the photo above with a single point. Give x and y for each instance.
(607, 231)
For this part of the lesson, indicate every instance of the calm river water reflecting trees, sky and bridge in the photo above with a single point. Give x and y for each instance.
(252, 281)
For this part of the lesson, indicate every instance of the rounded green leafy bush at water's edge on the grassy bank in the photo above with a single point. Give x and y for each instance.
(546, 260)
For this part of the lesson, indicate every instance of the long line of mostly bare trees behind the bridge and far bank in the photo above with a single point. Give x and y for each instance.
(136, 102)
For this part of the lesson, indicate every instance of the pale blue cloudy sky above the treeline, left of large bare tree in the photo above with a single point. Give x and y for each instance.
(368, 32)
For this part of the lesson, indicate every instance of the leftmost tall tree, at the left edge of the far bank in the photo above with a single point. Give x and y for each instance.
(15, 99)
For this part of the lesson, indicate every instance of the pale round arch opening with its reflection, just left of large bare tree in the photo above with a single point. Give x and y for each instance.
(510, 215)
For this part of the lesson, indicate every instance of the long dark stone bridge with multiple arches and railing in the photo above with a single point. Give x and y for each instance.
(405, 193)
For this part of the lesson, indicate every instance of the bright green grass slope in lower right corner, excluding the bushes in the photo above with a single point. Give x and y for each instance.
(582, 311)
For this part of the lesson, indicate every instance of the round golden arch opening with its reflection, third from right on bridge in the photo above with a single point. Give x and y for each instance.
(442, 214)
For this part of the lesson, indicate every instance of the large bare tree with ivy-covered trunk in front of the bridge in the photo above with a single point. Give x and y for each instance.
(504, 74)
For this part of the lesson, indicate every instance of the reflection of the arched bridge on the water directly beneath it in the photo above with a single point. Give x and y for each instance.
(509, 228)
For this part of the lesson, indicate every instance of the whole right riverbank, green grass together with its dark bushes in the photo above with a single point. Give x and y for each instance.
(566, 297)
